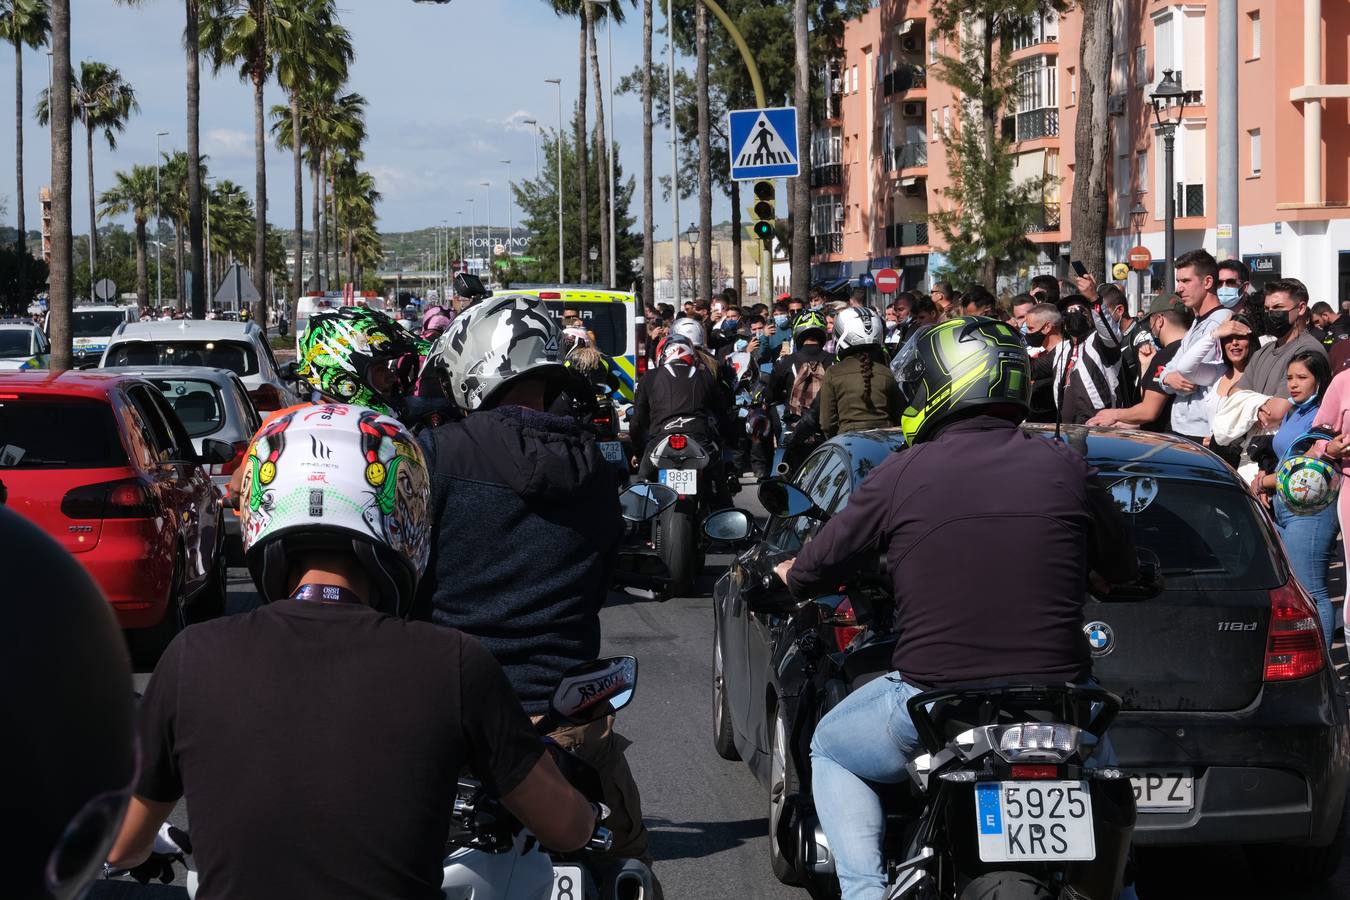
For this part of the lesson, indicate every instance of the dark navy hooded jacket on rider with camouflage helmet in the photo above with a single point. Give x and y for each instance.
(527, 528)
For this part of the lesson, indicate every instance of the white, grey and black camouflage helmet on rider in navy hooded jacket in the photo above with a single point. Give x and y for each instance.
(493, 345)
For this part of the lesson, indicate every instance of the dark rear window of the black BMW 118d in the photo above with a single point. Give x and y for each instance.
(1205, 536)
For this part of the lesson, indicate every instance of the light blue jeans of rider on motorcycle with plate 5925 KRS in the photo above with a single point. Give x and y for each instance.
(870, 737)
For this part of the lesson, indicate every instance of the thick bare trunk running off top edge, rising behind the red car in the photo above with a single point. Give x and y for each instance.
(60, 280)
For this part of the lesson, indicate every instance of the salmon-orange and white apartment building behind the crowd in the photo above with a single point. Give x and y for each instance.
(880, 163)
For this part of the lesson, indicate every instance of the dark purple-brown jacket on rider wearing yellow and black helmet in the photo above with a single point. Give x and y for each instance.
(1031, 517)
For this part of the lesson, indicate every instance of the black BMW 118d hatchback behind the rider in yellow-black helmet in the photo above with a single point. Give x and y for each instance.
(1235, 727)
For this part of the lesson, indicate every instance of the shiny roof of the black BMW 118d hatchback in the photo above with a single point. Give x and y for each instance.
(1110, 450)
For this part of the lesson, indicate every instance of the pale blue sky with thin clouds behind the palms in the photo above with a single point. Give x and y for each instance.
(449, 87)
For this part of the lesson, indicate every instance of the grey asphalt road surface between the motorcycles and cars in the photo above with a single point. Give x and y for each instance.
(707, 816)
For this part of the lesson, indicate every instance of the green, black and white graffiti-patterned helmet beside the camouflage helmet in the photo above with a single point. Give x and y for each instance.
(361, 357)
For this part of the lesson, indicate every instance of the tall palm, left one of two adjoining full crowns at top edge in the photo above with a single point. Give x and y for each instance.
(250, 34)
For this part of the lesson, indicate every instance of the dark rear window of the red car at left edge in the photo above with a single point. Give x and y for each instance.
(59, 432)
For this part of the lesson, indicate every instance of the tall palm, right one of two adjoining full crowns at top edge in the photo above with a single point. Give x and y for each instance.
(319, 57)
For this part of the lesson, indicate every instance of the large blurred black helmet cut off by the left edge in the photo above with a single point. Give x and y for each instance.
(71, 748)
